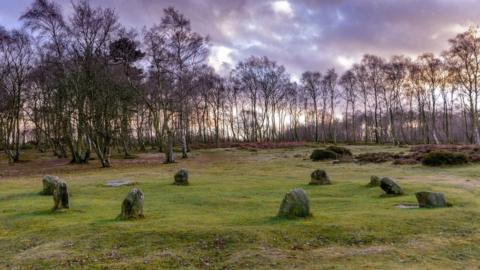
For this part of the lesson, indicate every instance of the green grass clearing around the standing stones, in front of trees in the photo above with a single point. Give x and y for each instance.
(226, 218)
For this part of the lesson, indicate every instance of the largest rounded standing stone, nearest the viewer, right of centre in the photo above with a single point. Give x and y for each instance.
(295, 204)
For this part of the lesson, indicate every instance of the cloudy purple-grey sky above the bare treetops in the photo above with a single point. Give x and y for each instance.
(299, 34)
